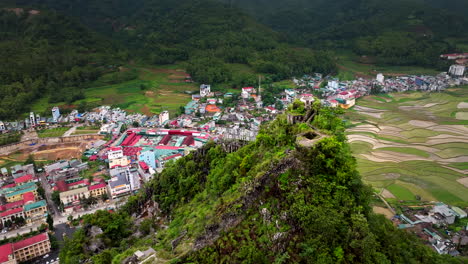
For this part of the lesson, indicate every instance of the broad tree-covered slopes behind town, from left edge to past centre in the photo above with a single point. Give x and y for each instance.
(57, 53)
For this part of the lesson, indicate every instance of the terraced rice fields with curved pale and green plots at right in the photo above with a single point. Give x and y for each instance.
(413, 144)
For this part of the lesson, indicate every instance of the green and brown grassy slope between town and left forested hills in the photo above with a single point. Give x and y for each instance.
(144, 90)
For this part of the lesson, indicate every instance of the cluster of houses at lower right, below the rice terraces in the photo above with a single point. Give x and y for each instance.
(431, 222)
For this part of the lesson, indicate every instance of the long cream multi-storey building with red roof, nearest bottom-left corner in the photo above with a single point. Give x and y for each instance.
(32, 247)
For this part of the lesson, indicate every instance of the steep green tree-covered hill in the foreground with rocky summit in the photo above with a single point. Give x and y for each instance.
(274, 200)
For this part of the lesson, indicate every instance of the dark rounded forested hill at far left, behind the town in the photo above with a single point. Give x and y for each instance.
(44, 53)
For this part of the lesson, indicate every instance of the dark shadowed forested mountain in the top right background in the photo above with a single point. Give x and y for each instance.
(396, 32)
